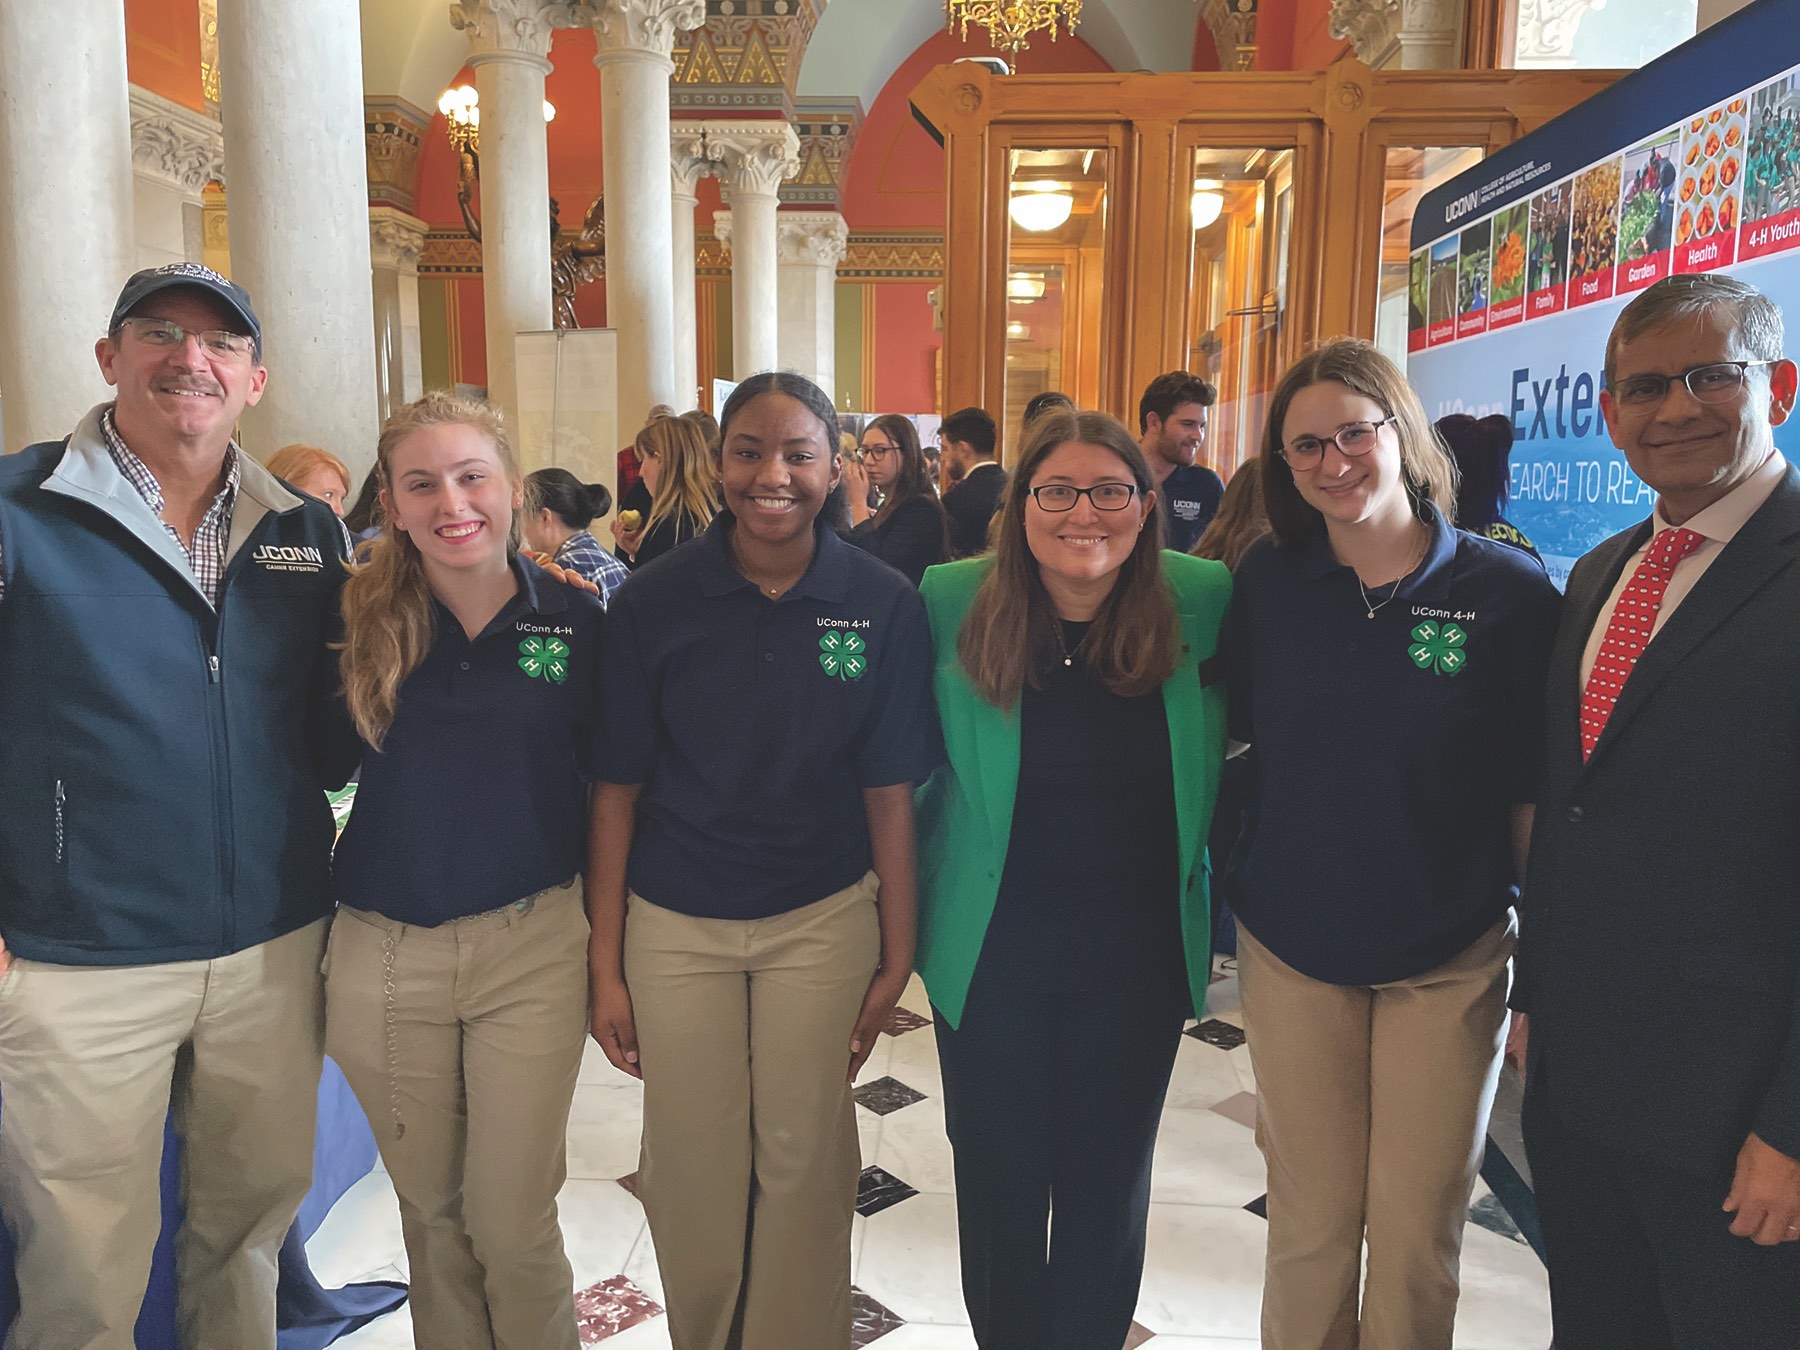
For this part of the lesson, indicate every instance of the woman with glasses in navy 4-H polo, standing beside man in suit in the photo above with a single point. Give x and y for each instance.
(1387, 672)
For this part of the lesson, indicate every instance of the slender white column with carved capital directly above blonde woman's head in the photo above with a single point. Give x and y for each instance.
(510, 46)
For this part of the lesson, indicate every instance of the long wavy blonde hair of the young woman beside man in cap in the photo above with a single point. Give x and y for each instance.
(388, 602)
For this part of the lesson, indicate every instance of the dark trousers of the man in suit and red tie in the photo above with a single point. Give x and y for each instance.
(1642, 1255)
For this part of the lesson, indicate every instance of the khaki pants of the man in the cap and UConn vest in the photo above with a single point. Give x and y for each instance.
(93, 1061)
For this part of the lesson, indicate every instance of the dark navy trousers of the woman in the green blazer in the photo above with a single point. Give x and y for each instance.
(1054, 1088)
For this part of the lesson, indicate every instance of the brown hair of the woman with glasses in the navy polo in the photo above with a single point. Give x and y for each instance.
(1358, 366)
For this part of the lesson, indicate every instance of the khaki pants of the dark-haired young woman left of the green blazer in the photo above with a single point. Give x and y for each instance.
(751, 1160)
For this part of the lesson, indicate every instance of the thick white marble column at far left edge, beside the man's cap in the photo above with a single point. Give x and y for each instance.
(66, 208)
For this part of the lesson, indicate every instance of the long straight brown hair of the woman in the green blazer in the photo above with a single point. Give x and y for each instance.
(1011, 634)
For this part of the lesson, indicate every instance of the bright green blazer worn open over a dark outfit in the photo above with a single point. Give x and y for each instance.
(966, 809)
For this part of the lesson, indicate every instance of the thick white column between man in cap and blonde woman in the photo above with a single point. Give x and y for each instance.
(291, 100)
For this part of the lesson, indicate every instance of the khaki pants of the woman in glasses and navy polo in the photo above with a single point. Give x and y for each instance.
(1372, 1110)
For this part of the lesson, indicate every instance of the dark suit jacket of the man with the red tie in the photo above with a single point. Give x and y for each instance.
(1660, 955)
